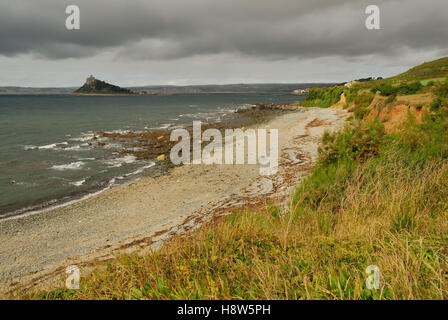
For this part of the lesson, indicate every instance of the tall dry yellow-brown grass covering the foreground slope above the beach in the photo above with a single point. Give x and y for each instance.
(318, 253)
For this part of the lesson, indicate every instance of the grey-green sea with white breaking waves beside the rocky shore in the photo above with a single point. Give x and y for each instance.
(45, 155)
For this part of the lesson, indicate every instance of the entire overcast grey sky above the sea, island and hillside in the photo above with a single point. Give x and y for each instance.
(181, 42)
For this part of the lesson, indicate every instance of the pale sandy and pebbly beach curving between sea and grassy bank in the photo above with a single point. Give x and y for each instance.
(142, 215)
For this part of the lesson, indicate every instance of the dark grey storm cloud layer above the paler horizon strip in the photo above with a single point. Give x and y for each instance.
(172, 29)
